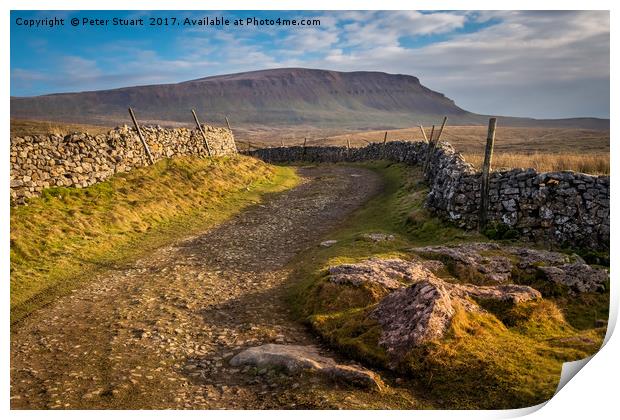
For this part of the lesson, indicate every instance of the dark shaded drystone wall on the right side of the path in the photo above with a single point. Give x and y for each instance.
(561, 208)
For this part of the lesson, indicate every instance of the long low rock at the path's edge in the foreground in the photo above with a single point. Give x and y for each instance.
(295, 359)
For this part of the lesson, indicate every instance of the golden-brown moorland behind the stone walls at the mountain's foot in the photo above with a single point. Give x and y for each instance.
(545, 149)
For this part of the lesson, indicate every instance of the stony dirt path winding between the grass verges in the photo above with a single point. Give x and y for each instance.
(158, 334)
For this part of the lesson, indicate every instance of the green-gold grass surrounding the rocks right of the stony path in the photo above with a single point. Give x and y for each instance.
(508, 357)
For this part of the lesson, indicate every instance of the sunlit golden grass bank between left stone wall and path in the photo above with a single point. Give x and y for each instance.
(67, 235)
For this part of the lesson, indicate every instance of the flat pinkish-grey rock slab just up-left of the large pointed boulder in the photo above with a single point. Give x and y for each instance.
(389, 273)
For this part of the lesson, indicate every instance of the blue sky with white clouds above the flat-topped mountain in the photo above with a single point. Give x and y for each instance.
(541, 64)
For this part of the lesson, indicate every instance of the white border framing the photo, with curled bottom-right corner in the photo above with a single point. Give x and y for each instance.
(592, 394)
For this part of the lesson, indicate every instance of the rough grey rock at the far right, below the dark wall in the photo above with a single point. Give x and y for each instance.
(579, 277)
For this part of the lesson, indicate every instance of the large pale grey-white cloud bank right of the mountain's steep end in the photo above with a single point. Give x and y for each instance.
(509, 65)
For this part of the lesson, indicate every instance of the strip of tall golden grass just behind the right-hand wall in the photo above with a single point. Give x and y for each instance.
(596, 164)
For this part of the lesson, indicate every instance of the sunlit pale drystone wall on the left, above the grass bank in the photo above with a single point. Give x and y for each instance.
(79, 160)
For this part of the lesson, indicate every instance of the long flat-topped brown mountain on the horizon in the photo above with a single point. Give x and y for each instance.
(277, 97)
